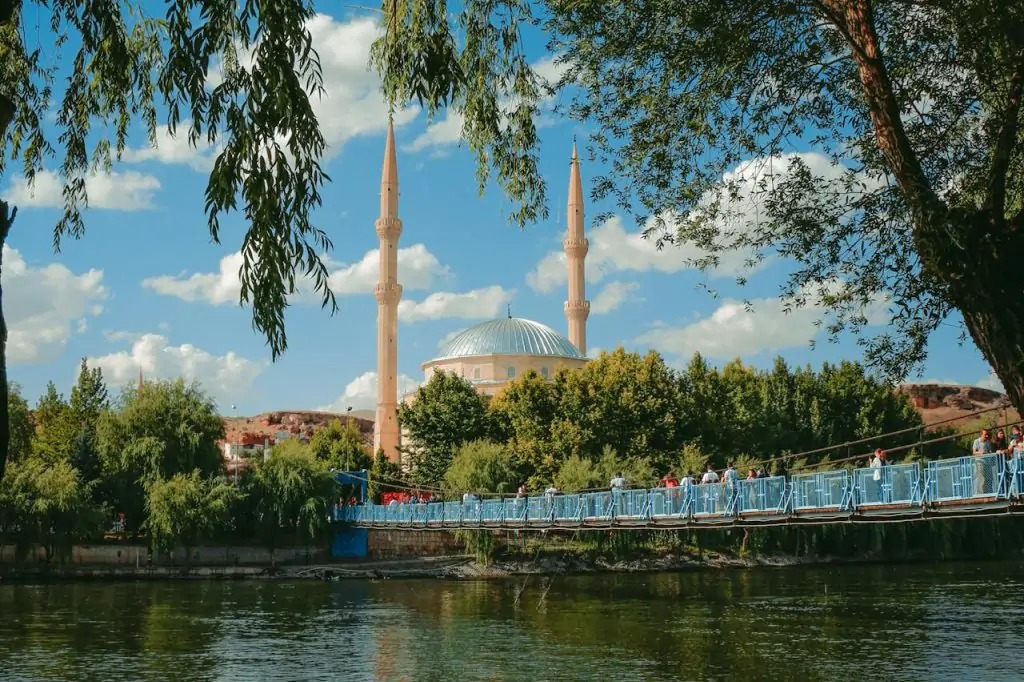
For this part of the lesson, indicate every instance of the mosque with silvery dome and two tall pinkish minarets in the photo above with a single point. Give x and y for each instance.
(492, 354)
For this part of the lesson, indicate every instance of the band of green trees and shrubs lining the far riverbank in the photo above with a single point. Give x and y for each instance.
(146, 468)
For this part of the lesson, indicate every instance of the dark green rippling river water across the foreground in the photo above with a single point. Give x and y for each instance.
(908, 622)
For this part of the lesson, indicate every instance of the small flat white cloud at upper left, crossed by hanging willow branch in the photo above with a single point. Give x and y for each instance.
(118, 192)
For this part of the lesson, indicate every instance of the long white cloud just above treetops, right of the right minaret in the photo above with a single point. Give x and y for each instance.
(734, 331)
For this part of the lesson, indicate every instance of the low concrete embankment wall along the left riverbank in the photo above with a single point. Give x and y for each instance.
(133, 556)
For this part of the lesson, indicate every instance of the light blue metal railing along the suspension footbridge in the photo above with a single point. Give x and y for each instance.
(979, 483)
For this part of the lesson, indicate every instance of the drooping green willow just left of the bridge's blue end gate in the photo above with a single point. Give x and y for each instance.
(290, 496)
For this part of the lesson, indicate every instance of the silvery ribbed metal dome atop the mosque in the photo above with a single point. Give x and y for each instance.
(513, 336)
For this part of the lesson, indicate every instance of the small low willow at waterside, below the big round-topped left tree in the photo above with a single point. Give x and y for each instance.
(186, 509)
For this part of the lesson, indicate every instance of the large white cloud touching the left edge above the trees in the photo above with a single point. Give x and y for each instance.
(46, 307)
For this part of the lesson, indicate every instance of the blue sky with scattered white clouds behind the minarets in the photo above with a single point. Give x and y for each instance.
(146, 288)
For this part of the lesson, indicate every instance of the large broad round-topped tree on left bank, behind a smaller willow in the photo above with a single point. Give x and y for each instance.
(164, 430)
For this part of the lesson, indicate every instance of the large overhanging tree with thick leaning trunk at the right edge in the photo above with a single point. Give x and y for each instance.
(910, 209)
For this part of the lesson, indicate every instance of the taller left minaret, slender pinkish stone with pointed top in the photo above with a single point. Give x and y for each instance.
(389, 292)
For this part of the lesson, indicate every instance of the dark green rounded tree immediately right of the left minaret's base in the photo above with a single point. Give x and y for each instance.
(447, 413)
